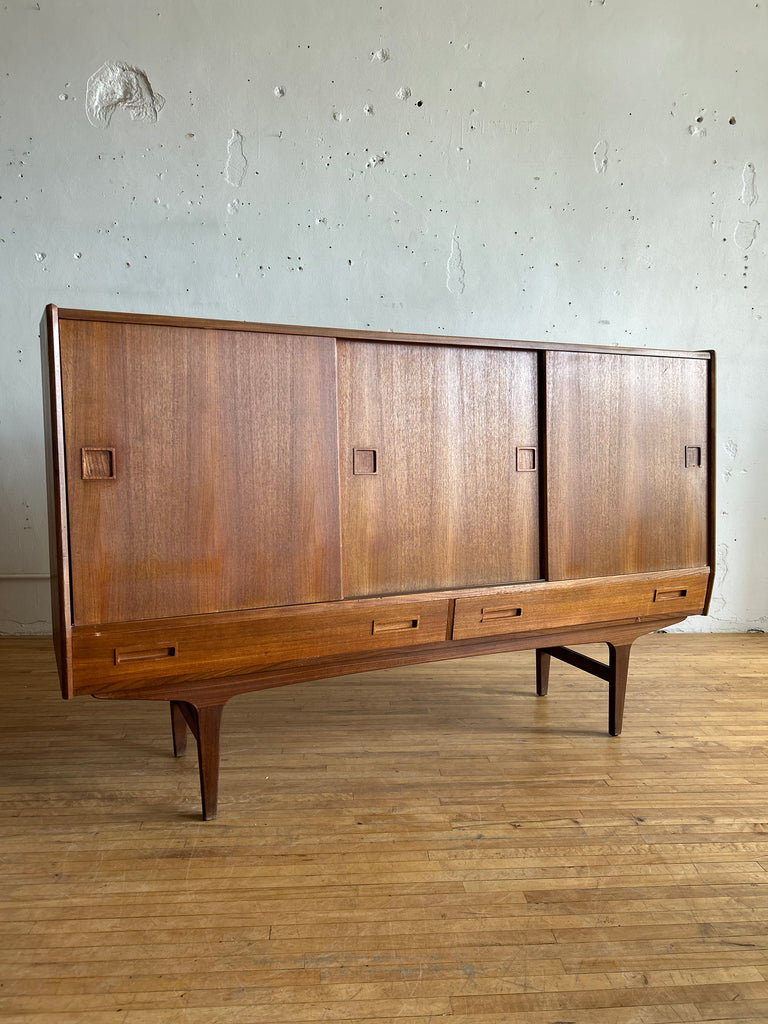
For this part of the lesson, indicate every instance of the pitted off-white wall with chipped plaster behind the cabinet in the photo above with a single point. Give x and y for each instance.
(575, 170)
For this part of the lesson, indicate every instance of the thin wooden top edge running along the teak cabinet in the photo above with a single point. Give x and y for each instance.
(112, 317)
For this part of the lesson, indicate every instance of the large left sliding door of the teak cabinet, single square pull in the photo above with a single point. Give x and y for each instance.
(225, 489)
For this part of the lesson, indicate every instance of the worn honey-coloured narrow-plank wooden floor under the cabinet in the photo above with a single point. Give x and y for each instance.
(425, 844)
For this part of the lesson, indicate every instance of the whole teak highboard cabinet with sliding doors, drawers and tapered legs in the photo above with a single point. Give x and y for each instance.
(238, 506)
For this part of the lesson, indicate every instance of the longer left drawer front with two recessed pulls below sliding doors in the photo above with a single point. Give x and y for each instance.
(210, 647)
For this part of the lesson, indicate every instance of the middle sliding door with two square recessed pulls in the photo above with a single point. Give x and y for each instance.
(442, 503)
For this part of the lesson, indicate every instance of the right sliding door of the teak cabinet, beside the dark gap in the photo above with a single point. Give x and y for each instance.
(620, 495)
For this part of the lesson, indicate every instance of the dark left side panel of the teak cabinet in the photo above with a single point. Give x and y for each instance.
(56, 475)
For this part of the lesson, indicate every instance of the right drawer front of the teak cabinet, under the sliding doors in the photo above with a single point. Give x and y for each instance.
(551, 606)
